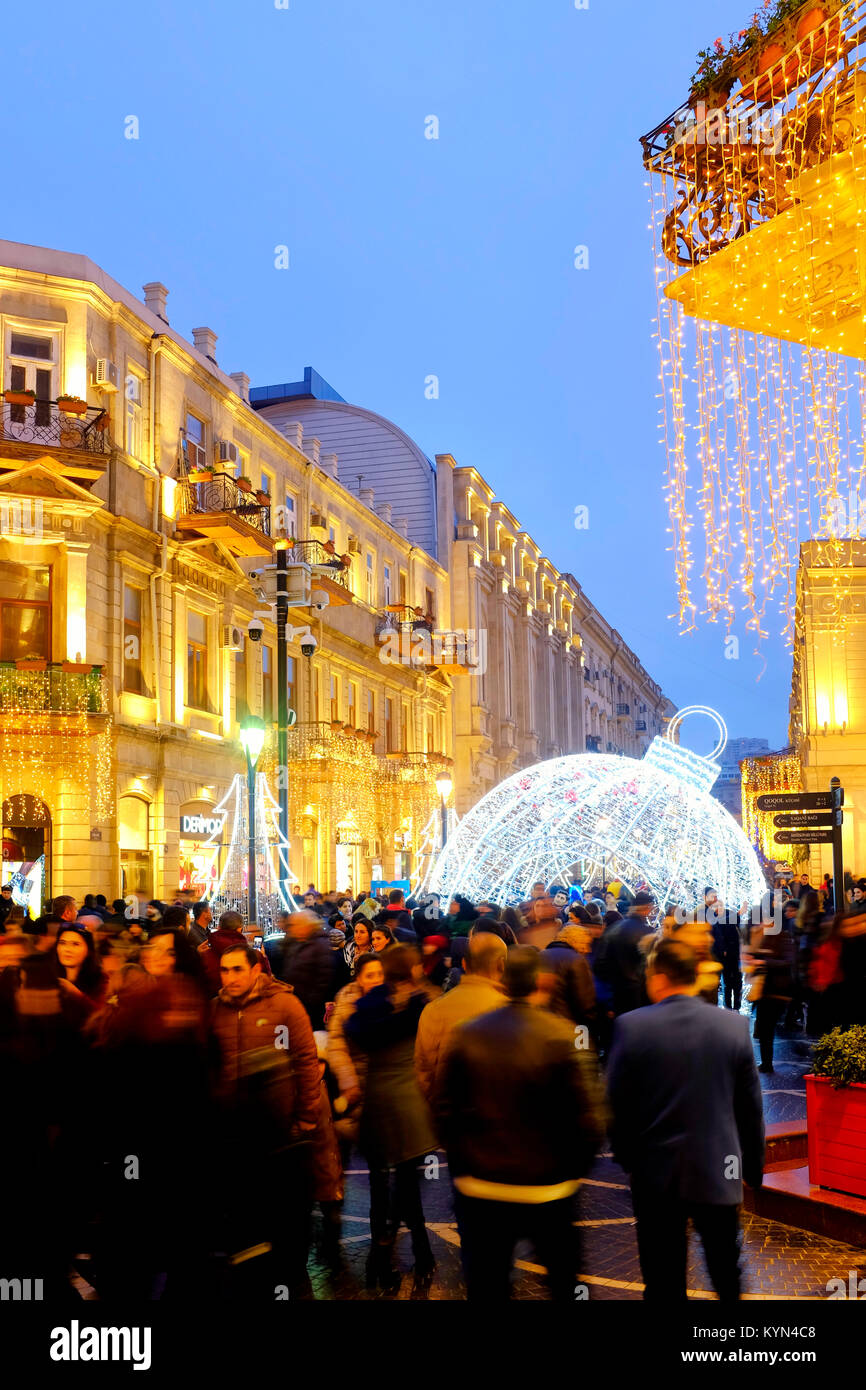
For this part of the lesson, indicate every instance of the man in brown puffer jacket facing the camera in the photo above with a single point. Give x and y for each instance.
(268, 1090)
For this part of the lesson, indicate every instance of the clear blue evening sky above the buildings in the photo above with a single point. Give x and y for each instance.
(409, 258)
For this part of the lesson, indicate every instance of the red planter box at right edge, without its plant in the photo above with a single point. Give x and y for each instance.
(836, 1131)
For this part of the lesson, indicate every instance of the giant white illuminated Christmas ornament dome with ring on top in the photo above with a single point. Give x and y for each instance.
(647, 822)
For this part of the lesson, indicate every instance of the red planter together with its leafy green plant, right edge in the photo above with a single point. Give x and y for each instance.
(836, 1111)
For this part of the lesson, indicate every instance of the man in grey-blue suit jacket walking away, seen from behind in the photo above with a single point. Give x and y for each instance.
(687, 1125)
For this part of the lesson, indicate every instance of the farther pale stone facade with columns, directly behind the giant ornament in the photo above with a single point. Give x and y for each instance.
(558, 678)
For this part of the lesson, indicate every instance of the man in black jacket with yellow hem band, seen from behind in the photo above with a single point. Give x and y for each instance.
(522, 1117)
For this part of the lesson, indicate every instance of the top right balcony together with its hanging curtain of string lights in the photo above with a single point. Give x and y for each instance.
(758, 205)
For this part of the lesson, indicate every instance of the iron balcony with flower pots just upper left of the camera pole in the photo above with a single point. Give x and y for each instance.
(215, 505)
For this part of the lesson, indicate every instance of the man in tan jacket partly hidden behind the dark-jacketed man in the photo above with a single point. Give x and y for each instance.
(480, 990)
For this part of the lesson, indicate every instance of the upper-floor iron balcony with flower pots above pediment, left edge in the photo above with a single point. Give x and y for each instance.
(30, 427)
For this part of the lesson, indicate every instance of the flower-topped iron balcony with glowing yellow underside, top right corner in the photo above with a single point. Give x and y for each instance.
(771, 141)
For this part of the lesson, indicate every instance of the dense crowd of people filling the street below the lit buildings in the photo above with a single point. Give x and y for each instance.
(197, 1097)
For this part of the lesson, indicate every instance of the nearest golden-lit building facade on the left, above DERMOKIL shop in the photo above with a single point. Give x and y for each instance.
(136, 518)
